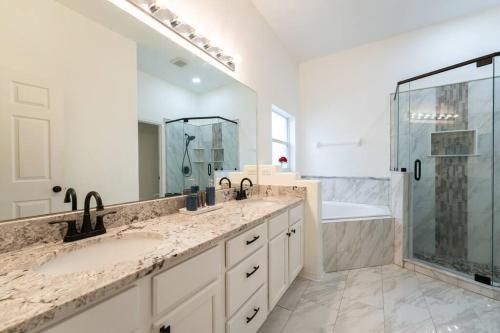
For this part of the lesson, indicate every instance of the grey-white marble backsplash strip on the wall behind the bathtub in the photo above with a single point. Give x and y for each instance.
(365, 190)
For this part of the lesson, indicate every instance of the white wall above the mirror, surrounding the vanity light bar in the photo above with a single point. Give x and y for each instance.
(265, 64)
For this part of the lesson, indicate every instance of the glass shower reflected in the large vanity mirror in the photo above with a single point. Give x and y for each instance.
(199, 150)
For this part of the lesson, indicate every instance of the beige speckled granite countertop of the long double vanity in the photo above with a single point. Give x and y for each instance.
(30, 299)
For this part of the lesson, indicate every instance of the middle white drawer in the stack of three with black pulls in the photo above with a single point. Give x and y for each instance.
(244, 279)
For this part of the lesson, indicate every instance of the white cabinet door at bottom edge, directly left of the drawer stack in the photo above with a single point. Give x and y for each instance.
(201, 313)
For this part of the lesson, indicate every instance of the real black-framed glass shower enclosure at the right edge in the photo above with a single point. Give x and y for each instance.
(444, 131)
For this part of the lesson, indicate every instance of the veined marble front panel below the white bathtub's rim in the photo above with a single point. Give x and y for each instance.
(350, 244)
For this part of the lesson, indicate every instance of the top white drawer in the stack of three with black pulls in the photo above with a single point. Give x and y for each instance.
(240, 247)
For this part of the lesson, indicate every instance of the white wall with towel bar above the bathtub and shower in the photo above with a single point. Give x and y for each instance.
(345, 96)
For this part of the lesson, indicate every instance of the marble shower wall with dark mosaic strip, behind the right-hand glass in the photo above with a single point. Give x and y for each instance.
(452, 204)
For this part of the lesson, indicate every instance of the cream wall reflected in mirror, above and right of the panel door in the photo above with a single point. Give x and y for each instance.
(96, 69)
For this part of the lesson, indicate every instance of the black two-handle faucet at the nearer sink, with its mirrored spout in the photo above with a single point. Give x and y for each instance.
(86, 230)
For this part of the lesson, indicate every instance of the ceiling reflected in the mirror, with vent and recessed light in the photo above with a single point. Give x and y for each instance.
(154, 51)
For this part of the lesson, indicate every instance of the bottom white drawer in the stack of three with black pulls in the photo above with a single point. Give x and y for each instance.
(251, 315)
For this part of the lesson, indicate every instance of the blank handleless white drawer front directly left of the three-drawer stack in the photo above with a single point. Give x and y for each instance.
(185, 279)
